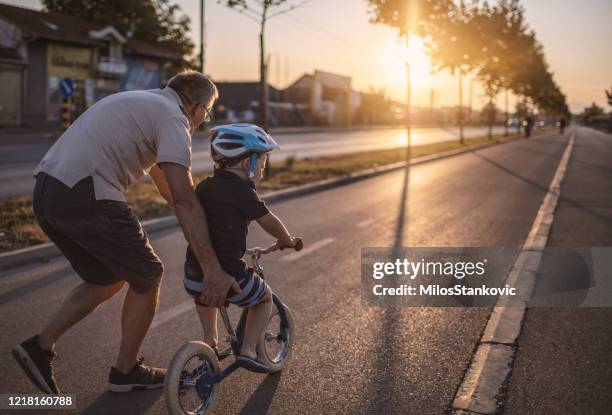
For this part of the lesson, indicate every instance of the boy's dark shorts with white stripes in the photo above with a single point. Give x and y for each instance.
(252, 289)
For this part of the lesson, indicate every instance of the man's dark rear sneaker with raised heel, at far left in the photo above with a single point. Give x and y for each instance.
(37, 364)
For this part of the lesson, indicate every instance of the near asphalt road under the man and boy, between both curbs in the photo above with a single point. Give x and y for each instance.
(347, 358)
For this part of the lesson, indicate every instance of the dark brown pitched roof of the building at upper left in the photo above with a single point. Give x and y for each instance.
(72, 29)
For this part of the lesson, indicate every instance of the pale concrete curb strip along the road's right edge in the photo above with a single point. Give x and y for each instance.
(482, 389)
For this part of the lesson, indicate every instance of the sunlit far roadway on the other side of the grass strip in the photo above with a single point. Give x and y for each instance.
(18, 162)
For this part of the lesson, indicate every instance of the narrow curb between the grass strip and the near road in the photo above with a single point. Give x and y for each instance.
(47, 251)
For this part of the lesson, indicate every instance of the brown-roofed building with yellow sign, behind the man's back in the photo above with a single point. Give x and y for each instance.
(38, 50)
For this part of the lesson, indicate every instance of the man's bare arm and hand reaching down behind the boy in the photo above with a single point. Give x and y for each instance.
(193, 223)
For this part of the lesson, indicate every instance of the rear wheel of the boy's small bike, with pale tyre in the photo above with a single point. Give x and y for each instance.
(186, 389)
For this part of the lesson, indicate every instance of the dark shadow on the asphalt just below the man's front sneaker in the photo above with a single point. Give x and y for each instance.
(123, 403)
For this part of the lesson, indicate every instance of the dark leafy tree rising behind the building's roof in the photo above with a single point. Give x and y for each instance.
(154, 21)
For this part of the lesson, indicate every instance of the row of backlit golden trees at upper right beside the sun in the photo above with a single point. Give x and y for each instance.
(493, 43)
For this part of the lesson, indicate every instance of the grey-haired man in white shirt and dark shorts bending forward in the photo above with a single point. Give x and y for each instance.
(79, 203)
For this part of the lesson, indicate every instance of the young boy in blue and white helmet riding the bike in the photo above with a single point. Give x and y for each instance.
(230, 201)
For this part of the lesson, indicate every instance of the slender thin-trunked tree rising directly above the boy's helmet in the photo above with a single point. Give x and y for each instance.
(259, 11)
